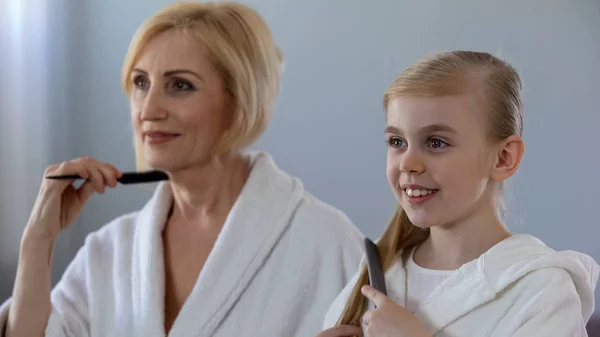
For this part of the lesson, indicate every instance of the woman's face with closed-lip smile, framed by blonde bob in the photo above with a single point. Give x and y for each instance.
(179, 107)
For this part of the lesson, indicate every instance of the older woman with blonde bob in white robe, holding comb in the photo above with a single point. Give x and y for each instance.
(231, 245)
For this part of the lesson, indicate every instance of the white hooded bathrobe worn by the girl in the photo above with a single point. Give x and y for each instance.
(519, 287)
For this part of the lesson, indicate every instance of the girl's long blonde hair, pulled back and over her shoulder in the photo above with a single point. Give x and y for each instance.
(445, 73)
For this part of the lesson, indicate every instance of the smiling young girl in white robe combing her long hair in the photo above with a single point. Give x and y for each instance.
(454, 126)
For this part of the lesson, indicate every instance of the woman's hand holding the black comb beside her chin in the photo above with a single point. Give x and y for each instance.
(59, 203)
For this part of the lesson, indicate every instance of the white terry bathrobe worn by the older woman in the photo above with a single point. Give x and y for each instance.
(278, 263)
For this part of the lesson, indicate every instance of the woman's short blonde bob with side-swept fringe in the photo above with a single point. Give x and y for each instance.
(243, 51)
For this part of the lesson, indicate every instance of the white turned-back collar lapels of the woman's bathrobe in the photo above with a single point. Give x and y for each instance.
(256, 222)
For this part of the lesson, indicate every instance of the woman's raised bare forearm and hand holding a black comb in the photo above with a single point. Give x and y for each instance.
(57, 206)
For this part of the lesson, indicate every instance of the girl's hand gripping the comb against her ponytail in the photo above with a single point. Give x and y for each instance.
(390, 319)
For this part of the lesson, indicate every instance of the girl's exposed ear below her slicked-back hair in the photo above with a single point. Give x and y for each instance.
(508, 158)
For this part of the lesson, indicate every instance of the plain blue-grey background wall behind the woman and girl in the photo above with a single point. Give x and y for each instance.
(327, 128)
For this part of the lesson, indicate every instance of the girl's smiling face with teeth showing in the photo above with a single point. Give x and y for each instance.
(441, 164)
